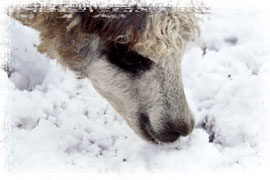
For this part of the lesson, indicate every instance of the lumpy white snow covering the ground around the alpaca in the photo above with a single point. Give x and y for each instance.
(58, 122)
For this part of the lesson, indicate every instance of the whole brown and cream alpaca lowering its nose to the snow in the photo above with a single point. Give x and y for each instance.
(131, 55)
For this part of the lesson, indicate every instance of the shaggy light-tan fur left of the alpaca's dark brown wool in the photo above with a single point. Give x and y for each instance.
(59, 28)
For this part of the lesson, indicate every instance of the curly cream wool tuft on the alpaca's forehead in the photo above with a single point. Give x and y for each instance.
(167, 32)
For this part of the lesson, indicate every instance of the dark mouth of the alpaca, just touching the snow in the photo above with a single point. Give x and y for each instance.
(167, 135)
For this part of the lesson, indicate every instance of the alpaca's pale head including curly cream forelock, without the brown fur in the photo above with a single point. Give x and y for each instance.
(144, 84)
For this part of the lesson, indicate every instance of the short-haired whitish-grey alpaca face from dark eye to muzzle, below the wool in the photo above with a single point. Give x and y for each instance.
(148, 94)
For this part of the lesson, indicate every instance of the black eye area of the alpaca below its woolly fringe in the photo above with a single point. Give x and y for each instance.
(129, 61)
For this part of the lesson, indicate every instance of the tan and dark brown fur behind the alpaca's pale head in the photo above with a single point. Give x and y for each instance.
(67, 42)
